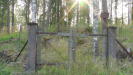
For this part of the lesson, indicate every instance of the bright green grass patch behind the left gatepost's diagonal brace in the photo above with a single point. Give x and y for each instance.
(13, 41)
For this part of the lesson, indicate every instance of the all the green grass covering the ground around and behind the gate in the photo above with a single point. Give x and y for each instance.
(57, 51)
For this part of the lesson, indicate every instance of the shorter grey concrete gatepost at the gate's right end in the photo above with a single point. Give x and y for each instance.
(112, 43)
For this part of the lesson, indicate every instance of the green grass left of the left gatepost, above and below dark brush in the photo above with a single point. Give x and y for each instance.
(11, 44)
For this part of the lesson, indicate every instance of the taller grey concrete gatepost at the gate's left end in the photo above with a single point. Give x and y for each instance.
(32, 48)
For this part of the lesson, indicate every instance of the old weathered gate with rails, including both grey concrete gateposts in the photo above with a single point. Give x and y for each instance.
(66, 47)
